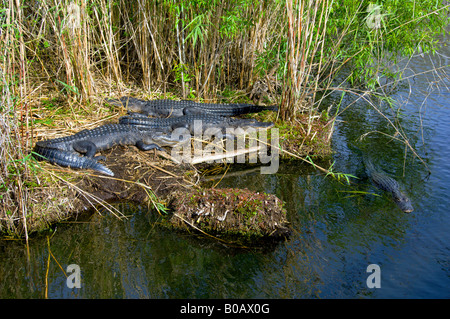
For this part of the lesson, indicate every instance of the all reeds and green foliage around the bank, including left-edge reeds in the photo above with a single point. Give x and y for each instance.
(285, 52)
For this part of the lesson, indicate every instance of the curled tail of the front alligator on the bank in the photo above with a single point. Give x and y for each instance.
(69, 159)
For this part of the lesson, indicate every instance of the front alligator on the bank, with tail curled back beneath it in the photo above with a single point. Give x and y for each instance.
(64, 150)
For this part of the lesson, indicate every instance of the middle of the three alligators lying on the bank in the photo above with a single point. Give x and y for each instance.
(191, 122)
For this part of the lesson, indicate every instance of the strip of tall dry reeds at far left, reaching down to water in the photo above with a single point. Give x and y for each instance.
(13, 134)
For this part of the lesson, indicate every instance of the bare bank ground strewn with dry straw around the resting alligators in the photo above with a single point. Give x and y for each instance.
(56, 194)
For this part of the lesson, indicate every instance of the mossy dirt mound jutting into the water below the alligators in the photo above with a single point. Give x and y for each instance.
(231, 212)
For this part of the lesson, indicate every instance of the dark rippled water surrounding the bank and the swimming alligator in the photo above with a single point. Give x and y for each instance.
(338, 232)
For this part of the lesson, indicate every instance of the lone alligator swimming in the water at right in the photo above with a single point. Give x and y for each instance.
(386, 183)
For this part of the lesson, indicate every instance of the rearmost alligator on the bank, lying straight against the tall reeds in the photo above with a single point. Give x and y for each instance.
(172, 108)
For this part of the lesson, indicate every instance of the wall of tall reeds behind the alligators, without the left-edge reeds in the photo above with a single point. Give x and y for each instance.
(202, 48)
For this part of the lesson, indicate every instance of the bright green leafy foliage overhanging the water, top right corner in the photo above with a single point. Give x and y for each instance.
(373, 35)
